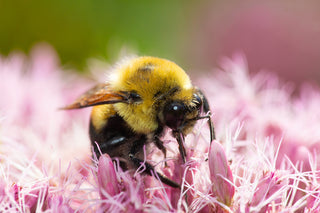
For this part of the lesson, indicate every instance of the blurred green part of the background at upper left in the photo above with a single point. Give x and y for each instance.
(79, 29)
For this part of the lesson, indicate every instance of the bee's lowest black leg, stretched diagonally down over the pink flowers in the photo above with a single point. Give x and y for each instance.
(150, 170)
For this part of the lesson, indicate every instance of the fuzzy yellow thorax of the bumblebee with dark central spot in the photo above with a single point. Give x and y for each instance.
(150, 78)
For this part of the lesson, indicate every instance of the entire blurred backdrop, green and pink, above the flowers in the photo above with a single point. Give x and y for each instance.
(280, 36)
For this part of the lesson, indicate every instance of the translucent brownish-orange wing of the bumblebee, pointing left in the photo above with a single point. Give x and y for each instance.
(98, 95)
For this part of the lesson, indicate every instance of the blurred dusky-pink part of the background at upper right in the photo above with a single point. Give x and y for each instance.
(279, 36)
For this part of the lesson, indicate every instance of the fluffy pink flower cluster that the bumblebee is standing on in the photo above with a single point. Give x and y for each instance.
(265, 158)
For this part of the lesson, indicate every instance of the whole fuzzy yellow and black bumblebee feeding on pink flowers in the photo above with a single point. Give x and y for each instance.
(143, 97)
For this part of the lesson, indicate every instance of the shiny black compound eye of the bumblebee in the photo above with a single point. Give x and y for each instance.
(173, 114)
